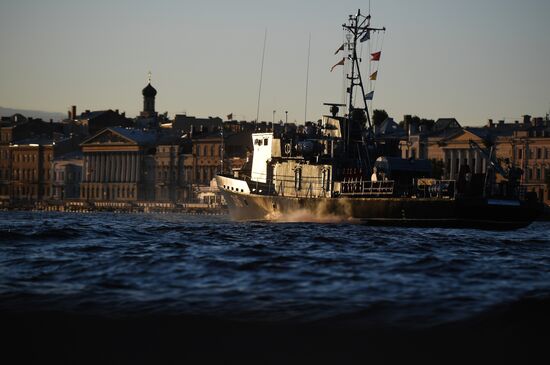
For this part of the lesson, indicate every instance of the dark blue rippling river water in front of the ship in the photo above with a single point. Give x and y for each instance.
(348, 276)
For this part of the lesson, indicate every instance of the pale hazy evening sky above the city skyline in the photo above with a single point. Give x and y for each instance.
(468, 59)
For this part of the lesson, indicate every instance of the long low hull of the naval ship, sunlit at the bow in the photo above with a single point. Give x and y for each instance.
(433, 212)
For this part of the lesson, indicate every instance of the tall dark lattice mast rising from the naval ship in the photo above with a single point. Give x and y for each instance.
(359, 29)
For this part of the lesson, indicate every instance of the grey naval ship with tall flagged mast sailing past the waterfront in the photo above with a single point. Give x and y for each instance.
(338, 169)
